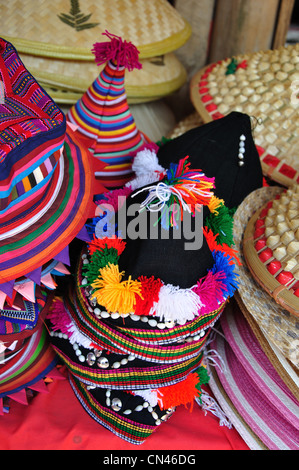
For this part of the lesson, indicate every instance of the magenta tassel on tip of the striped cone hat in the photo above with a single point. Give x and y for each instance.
(121, 53)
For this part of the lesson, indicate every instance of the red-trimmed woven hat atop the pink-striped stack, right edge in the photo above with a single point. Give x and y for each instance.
(271, 247)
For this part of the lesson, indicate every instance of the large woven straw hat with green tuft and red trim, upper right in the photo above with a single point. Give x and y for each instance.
(264, 85)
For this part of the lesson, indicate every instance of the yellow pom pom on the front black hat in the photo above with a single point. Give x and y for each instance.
(115, 295)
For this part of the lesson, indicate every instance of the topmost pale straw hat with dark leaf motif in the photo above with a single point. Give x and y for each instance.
(68, 29)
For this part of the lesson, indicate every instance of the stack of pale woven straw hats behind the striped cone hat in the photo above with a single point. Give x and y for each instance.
(55, 42)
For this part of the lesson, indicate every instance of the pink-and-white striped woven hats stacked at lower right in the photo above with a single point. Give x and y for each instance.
(253, 385)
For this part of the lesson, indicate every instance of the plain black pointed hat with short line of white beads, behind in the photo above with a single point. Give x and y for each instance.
(213, 148)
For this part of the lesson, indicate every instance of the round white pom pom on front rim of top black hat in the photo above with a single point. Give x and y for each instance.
(176, 304)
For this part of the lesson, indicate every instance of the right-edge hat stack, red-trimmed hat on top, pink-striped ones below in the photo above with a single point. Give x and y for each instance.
(256, 379)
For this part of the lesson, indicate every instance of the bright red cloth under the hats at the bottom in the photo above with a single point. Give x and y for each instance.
(56, 421)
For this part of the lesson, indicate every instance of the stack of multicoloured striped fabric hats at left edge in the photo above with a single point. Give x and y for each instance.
(47, 185)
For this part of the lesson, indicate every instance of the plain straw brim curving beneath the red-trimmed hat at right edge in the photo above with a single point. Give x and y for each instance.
(277, 324)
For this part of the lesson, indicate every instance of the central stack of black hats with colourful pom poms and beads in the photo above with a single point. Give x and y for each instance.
(134, 347)
